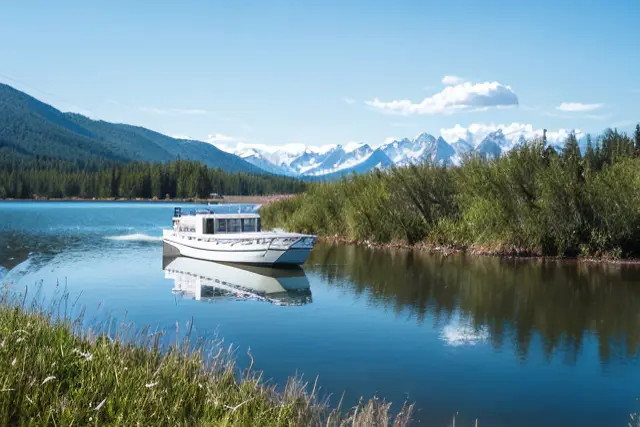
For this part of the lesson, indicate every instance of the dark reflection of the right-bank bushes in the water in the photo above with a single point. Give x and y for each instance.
(505, 301)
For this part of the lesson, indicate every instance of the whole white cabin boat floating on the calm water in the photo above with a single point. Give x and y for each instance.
(232, 233)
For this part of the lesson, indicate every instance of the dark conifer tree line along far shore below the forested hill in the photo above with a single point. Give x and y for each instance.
(25, 178)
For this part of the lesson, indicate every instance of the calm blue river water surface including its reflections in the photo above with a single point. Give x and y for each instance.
(511, 343)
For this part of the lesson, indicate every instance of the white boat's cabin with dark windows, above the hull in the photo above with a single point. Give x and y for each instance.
(217, 219)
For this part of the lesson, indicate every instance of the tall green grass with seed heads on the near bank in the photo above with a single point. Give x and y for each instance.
(52, 372)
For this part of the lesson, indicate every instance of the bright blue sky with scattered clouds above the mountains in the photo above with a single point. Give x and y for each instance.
(281, 72)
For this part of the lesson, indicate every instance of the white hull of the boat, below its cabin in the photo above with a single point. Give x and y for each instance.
(257, 256)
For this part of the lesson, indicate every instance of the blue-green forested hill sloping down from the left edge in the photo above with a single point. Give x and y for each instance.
(30, 128)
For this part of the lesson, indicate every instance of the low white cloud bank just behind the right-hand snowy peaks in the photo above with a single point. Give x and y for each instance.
(476, 132)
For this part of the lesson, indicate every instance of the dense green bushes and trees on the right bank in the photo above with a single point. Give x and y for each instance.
(531, 202)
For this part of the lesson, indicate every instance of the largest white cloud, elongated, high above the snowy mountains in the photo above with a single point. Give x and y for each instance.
(462, 97)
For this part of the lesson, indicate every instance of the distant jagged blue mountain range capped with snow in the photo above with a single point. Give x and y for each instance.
(333, 161)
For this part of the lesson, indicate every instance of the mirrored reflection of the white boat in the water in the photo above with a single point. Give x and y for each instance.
(208, 280)
